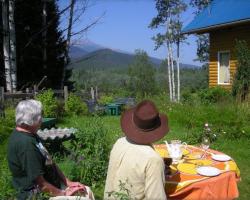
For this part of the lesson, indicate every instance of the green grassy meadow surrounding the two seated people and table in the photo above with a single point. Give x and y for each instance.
(86, 158)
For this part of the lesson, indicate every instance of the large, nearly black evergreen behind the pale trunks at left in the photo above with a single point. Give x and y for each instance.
(30, 66)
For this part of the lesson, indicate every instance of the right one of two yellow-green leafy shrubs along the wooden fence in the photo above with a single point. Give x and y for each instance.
(75, 106)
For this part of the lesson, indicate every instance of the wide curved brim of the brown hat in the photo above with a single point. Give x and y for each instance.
(139, 136)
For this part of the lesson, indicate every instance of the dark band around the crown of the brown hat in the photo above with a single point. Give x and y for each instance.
(146, 125)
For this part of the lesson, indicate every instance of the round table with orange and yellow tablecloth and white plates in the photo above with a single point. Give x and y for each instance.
(185, 180)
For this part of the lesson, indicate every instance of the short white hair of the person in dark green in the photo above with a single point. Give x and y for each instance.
(28, 112)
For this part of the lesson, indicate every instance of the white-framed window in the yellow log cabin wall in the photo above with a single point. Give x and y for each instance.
(223, 67)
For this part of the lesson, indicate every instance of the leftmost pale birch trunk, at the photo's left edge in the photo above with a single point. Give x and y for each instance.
(6, 45)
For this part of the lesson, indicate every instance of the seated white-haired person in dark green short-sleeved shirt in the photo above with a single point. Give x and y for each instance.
(29, 160)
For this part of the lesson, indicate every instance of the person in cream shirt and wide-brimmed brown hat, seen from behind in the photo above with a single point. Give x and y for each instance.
(135, 169)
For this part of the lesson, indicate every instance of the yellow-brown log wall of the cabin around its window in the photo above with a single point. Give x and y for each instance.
(225, 40)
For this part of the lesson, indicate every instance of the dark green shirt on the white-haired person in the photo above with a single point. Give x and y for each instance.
(25, 161)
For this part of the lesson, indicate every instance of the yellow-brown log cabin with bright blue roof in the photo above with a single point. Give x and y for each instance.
(225, 21)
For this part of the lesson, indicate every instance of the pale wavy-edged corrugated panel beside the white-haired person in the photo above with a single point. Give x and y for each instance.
(56, 133)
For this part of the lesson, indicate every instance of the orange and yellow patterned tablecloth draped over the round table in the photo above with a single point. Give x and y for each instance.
(194, 186)
